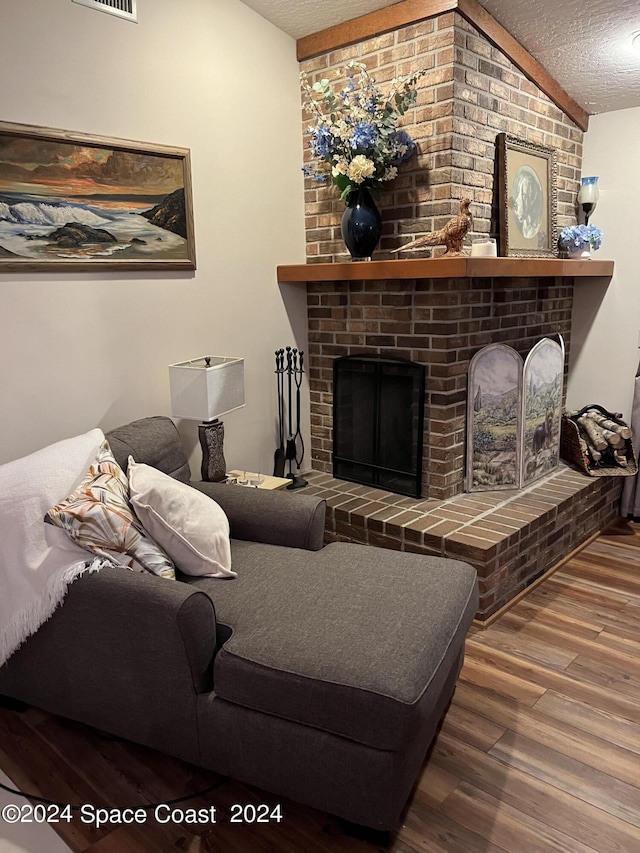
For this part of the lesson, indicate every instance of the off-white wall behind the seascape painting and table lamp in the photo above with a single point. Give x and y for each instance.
(79, 350)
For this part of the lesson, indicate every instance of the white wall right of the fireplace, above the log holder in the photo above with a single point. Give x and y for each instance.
(606, 320)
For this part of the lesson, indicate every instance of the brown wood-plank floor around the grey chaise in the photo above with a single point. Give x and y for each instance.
(540, 749)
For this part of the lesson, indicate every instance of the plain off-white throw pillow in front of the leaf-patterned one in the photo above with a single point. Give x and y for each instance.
(191, 527)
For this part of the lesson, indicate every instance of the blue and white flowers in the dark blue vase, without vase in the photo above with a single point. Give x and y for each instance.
(354, 139)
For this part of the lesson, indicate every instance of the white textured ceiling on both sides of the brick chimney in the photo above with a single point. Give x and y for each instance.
(584, 44)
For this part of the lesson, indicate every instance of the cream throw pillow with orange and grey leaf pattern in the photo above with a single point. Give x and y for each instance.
(98, 517)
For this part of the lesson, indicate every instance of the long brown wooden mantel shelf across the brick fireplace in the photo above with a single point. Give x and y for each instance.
(461, 267)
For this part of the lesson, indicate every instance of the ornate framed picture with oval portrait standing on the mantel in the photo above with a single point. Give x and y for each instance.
(527, 198)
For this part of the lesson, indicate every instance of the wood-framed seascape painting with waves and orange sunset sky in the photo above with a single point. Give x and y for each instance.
(71, 202)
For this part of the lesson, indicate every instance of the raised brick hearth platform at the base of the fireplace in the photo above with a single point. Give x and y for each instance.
(511, 538)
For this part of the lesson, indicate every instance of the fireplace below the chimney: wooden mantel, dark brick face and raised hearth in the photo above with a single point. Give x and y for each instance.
(438, 313)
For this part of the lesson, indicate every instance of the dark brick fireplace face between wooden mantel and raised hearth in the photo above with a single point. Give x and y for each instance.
(438, 322)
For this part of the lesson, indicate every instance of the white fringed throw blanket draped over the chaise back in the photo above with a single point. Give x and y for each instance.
(38, 561)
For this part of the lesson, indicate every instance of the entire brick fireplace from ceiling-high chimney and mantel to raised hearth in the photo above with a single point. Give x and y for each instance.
(438, 311)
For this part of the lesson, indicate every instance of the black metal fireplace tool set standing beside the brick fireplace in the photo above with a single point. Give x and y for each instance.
(289, 363)
